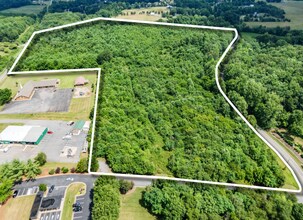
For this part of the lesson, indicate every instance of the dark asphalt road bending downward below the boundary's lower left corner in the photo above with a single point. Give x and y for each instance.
(61, 181)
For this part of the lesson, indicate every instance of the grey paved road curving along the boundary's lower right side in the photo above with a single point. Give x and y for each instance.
(292, 163)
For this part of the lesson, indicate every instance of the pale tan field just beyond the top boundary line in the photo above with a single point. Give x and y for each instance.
(126, 14)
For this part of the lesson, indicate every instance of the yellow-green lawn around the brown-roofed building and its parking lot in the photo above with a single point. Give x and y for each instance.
(79, 107)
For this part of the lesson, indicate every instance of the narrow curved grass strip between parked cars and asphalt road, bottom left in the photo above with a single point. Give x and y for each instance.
(71, 192)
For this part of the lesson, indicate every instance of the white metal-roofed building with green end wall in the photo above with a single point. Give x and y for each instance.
(22, 134)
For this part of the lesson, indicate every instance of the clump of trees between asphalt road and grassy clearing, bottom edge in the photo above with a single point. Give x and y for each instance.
(106, 199)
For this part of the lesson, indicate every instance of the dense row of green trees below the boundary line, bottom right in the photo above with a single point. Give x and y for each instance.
(170, 200)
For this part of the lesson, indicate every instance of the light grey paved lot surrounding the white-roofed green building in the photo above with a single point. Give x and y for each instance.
(51, 144)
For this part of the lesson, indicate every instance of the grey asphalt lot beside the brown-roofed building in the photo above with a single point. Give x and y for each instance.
(43, 100)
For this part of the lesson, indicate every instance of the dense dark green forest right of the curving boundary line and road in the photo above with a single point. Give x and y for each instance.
(268, 83)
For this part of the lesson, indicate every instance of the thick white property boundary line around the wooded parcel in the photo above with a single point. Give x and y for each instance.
(217, 82)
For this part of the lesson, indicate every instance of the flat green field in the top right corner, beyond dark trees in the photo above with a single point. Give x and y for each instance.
(293, 10)
